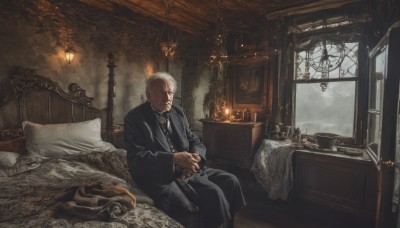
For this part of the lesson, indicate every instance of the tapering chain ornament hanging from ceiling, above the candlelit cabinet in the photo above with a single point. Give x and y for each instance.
(219, 52)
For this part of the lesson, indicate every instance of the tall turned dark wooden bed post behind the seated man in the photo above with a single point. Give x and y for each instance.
(110, 98)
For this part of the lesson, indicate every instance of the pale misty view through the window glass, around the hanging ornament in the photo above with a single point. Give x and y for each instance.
(333, 110)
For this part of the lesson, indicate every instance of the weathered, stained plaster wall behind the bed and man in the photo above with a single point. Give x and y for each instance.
(34, 34)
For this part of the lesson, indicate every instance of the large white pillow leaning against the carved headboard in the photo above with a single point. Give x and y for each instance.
(57, 140)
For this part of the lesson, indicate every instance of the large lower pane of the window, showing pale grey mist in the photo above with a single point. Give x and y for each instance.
(330, 111)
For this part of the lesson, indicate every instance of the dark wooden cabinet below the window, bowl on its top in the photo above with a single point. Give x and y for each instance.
(338, 181)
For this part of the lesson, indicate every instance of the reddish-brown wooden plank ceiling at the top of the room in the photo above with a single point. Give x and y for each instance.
(199, 17)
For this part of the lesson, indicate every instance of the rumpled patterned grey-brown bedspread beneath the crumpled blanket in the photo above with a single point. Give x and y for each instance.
(33, 192)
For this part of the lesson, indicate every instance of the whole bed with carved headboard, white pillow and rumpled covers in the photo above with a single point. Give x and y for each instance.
(56, 167)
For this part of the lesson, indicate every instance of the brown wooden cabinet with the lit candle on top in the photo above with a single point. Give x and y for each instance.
(232, 143)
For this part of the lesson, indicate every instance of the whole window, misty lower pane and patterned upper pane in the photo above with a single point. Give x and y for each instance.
(325, 86)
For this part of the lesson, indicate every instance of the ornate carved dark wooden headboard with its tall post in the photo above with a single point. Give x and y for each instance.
(26, 95)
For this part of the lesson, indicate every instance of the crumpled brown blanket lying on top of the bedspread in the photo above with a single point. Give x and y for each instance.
(102, 200)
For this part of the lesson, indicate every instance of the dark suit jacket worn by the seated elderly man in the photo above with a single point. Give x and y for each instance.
(149, 158)
